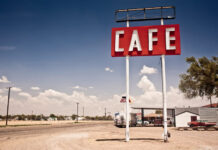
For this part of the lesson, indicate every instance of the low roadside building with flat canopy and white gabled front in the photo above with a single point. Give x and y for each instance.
(179, 117)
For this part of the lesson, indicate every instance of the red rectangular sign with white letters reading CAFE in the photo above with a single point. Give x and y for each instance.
(145, 41)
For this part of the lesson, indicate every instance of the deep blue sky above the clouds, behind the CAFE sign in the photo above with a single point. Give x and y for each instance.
(54, 44)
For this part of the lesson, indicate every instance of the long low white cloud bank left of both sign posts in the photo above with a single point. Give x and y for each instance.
(53, 101)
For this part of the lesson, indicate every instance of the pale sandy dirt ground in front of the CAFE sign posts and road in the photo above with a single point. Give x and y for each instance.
(102, 136)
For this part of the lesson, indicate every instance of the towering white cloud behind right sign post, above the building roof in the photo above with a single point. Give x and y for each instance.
(153, 98)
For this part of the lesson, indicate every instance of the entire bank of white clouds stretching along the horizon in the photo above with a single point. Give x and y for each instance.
(53, 101)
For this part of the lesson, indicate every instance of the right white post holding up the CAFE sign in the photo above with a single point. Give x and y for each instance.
(164, 94)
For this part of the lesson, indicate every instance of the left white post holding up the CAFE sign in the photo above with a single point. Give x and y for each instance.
(127, 94)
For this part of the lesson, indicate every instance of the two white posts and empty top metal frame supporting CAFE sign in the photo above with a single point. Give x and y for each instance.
(131, 17)
